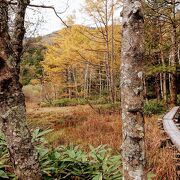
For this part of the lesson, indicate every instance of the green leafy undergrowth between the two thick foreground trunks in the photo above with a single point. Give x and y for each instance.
(72, 163)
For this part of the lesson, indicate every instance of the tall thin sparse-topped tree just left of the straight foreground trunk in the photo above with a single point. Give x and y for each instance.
(102, 14)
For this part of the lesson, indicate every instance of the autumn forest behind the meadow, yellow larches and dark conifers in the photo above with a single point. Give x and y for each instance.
(81, 64)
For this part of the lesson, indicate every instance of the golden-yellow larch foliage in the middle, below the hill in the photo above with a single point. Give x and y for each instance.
(77, 52)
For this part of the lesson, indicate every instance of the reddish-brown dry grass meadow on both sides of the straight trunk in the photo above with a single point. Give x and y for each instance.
(81, 125)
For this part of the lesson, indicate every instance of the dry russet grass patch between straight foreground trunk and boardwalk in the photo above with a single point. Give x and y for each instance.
(159, 160)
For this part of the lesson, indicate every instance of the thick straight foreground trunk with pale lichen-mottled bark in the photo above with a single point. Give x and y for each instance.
(132, 90)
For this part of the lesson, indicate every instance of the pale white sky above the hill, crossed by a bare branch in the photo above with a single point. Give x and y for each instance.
(49, 21)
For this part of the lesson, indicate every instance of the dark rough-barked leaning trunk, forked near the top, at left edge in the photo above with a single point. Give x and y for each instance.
(12, 101)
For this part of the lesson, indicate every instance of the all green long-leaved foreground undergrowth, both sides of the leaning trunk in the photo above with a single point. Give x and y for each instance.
(67, 162)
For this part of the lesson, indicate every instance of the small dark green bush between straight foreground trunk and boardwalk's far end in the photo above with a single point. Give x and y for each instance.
(153, 107)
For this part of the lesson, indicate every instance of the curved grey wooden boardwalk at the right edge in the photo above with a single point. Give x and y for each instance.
(171, 125)
